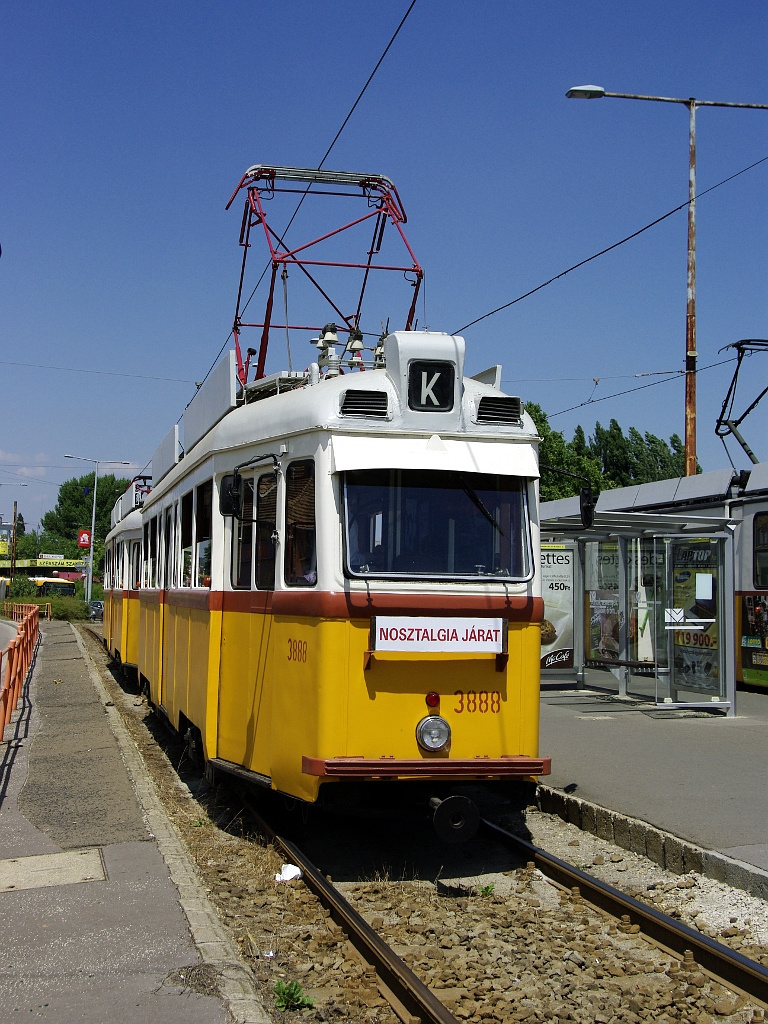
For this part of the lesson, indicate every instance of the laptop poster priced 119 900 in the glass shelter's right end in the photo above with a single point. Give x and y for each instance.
(695, 593)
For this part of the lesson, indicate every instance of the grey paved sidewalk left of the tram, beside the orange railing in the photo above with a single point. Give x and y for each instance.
(97, 892)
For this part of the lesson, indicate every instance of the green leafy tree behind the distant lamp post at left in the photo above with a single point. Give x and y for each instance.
(73, 513)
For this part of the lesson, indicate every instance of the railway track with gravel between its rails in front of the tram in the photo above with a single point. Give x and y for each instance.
(409, 991)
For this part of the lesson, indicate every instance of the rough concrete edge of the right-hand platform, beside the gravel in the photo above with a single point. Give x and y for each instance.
(663, 848)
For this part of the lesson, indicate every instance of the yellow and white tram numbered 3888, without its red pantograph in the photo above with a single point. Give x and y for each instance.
(266, 647)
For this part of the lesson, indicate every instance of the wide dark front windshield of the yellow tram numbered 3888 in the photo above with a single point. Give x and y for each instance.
(426, 524)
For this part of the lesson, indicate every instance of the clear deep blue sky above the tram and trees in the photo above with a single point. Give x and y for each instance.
(126, 127)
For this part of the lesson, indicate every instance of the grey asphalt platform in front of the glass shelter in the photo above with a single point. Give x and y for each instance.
(699, 777)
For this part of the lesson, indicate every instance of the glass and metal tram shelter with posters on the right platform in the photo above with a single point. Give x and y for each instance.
(639, 606)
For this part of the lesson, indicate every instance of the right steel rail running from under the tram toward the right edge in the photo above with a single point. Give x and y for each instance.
(729, 966)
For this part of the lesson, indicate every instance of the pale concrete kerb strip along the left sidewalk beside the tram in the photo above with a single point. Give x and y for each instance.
(209, 934)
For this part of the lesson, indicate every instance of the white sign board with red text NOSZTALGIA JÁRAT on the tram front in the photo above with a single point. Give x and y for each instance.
(438, 634)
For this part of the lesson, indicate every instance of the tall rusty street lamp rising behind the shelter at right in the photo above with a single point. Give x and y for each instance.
(598, 93)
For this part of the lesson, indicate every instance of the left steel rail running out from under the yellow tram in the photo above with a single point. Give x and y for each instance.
(415, 998)
